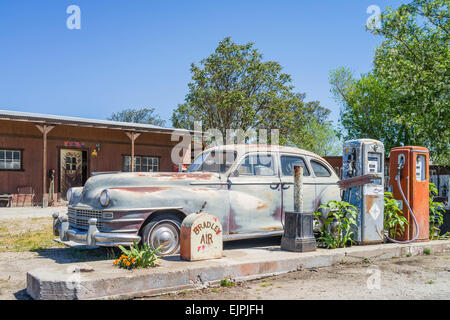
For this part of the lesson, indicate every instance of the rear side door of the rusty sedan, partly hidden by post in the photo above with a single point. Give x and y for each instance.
(287, 163)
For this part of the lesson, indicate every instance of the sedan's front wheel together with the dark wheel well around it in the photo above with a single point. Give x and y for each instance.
(163, 231)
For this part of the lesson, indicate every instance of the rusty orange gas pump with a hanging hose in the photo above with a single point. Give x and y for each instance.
(409, 177)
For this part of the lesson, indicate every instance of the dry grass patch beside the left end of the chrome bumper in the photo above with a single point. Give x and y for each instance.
(30, 234)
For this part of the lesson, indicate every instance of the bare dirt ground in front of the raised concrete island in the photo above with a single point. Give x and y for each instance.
(419, 277)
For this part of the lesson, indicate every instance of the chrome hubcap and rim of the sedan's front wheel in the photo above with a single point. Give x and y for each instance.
(165, 236)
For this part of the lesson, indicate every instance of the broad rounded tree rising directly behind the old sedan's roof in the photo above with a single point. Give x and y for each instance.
(234, 88)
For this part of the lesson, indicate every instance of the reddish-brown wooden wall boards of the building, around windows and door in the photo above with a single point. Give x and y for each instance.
(113, 145)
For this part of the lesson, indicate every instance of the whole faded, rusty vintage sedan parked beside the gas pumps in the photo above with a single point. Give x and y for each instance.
(248, 187)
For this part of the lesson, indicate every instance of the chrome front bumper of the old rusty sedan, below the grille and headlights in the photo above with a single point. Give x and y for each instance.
(91, 237)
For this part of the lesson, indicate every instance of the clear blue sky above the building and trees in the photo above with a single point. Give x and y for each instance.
(137, 53)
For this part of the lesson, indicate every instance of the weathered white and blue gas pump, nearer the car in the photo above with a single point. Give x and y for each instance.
(363, 184)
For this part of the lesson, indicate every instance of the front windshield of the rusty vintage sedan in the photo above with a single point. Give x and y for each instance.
(213, 161)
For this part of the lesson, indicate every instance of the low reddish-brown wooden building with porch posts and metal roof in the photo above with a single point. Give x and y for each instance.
(42, 156)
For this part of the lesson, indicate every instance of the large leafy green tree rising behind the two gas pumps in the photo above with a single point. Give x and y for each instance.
(405, 98)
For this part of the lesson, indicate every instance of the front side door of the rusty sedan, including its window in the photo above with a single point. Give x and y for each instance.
(255, 195)
